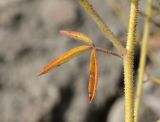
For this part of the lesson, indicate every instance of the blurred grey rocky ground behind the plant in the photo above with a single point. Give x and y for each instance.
(29, 39)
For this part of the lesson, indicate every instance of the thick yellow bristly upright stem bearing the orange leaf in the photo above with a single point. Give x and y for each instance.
(128, 63)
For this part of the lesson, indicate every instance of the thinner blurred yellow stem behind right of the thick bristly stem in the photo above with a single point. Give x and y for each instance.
(142, 59)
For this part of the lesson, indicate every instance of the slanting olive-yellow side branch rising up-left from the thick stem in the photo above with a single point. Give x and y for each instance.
(104, 28)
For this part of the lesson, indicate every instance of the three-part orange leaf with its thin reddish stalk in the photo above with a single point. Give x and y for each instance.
(93, 68)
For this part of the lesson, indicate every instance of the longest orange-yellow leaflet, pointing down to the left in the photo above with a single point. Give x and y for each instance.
(64, 58)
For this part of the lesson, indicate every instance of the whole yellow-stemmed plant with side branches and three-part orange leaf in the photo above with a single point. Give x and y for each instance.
(132, 97)
